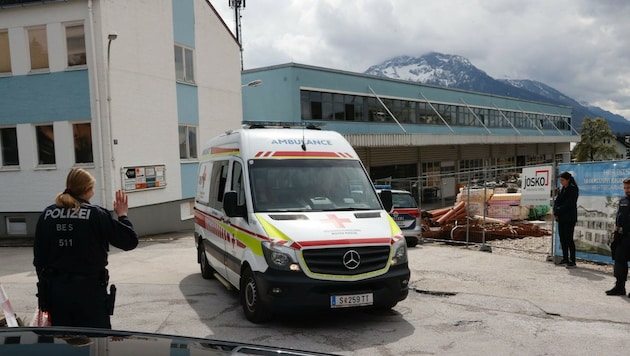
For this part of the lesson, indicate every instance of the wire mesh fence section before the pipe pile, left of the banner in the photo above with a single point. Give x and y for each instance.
(480, 207)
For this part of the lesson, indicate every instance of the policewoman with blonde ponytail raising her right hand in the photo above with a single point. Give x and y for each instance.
(72, 240)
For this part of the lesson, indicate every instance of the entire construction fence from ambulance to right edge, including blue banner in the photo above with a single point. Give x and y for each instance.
(487, 207)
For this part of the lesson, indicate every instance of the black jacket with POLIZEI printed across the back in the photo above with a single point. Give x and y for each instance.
(77, 241)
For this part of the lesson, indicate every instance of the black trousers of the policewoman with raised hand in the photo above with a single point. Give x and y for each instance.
(79, 302)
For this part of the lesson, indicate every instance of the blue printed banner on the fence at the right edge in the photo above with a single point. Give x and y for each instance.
(601, 187)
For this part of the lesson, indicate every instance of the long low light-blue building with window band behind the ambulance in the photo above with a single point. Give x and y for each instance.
(435, 139)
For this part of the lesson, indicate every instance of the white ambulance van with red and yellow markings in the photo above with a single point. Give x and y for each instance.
(289, 217)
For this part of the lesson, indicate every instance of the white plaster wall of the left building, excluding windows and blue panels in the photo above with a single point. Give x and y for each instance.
(143, 93)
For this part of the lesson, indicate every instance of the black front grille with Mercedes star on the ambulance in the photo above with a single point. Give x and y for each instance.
(331, 260)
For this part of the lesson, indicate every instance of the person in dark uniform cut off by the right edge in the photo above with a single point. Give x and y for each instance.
(621, 240)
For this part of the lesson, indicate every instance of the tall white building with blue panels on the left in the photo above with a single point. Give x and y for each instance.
(124, 89)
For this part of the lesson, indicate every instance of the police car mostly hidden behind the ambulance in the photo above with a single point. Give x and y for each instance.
(406, 213)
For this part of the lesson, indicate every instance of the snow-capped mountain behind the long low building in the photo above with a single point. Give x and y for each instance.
(457, 72)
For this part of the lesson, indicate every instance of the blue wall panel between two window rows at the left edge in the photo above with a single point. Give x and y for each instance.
(37, 98)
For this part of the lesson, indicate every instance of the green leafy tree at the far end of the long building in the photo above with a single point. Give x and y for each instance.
(597, 142)
